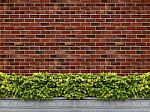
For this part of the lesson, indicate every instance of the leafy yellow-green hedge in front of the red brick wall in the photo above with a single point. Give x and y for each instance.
(104, 86)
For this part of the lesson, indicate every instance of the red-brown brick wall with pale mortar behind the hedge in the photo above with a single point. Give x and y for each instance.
(73, 36)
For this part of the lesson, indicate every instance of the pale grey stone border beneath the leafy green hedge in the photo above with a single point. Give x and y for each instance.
(63, 105)
